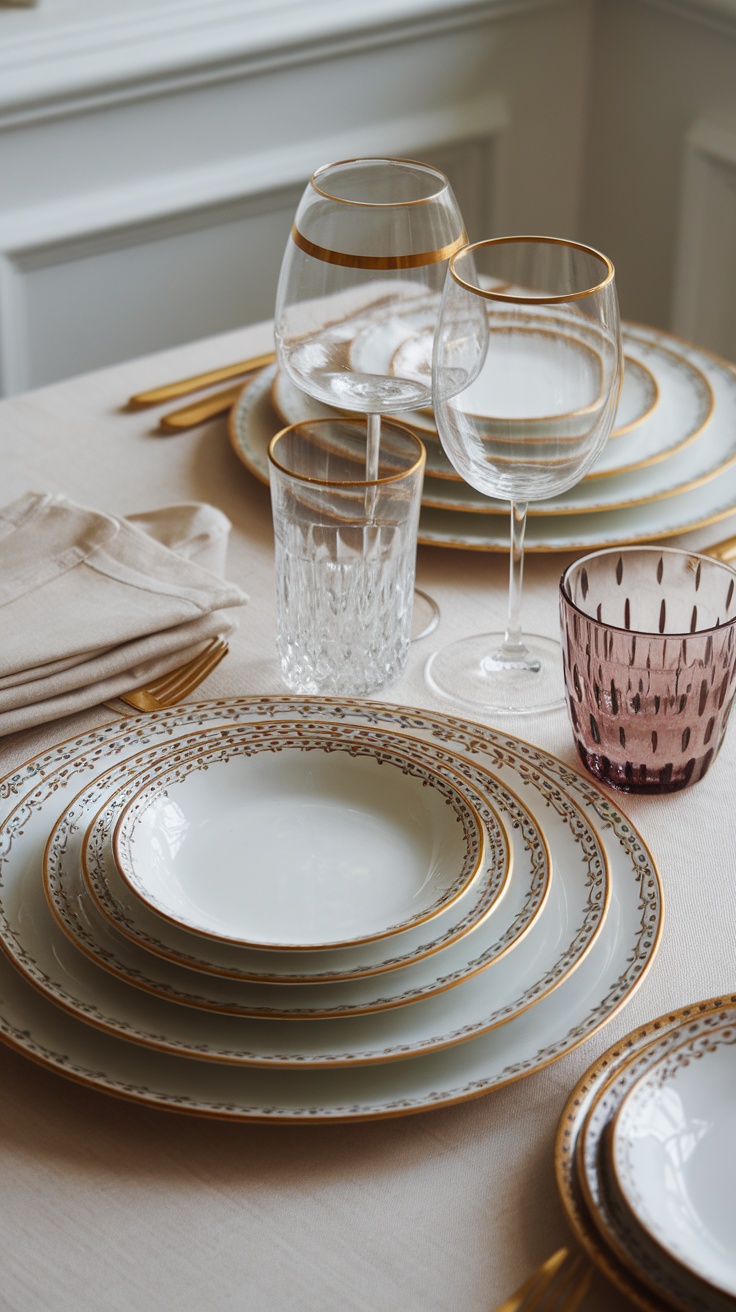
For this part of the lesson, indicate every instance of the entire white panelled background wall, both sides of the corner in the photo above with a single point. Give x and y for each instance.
(152, 155)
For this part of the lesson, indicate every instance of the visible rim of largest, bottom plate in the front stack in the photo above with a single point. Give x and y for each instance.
(607, 978)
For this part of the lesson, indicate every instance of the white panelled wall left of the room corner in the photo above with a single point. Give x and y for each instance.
(153, 154)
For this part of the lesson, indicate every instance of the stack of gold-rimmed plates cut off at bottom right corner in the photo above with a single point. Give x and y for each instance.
(646, 1160)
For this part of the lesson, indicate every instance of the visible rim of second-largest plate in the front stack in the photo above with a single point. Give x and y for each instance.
(556, 947)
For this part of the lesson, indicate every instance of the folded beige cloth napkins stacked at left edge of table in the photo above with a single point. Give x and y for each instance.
(92, 605)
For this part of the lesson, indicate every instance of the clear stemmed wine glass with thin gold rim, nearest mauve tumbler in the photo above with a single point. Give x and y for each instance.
(528, 368)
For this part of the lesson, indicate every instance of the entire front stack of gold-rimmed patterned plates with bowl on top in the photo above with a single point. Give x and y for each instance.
(302, 909)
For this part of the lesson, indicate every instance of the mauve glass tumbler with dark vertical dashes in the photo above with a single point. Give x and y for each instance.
(650, 663)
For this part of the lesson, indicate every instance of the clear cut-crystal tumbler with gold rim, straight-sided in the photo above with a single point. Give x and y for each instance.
(346, 553)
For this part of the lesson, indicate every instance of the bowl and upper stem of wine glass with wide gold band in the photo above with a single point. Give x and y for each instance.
(361, 284)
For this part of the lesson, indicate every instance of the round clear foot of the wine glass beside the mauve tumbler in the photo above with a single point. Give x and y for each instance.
(472, 675)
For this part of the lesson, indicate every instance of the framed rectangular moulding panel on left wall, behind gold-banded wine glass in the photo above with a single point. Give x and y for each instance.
(125, 271)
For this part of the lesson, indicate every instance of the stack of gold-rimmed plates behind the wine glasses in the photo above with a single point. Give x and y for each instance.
(670, 465)
